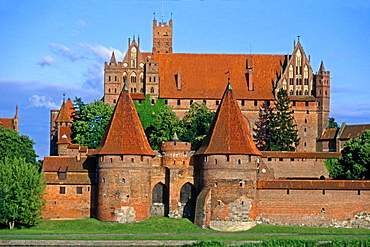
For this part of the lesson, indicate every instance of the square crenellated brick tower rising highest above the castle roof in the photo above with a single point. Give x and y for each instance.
(162, 37)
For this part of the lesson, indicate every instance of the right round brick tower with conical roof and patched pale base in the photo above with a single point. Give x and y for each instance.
(229, 164)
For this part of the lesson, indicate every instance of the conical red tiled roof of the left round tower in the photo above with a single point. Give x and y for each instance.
(124, 133)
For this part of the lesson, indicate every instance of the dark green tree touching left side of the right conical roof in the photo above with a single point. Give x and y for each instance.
(196, 124)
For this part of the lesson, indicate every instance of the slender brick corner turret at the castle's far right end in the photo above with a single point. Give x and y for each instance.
(322, 81)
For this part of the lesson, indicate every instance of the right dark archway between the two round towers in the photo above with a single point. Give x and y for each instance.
(188, 197)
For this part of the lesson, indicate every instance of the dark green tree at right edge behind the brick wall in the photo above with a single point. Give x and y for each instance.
(355, 160)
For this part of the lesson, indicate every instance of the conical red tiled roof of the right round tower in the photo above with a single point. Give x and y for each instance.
(229, 132)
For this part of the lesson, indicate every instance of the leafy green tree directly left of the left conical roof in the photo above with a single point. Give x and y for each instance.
(89, 122)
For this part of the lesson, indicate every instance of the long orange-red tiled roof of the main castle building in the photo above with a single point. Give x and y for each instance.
(203, 75)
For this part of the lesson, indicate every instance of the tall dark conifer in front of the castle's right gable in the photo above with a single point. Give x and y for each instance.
(283, 130)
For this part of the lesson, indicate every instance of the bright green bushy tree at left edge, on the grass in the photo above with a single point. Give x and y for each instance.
(22, 188)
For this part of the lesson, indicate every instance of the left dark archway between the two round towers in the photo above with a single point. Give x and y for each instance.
(160, 204)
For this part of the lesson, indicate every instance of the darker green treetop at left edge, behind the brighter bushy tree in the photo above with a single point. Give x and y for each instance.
(13, 145)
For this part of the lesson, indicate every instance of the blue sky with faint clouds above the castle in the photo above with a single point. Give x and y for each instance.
(53, 46)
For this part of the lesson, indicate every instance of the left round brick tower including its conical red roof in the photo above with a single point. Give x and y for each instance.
(124, 167)
